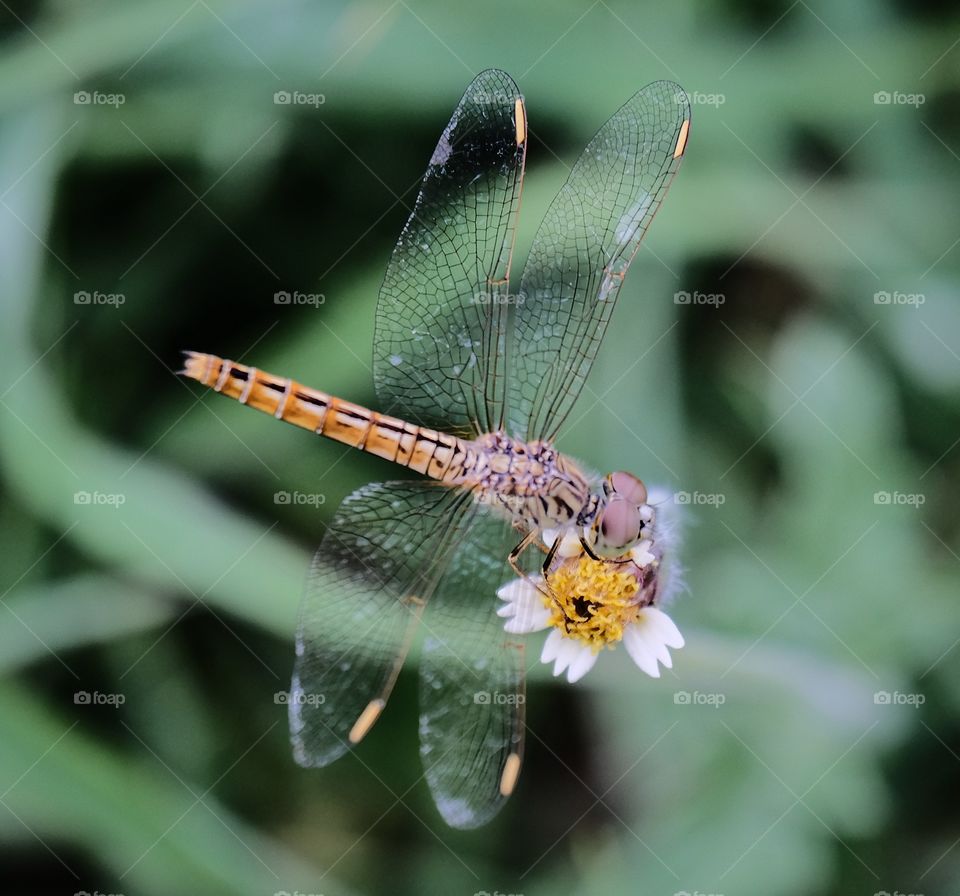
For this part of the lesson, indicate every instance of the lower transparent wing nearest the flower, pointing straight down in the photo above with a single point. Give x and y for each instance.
(472, 683)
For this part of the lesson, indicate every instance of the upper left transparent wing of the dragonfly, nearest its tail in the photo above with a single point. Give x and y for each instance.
(439, 348)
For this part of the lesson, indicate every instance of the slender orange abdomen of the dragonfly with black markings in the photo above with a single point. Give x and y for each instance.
(428, 451)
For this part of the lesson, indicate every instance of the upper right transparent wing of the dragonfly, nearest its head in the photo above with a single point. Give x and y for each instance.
(582, 250)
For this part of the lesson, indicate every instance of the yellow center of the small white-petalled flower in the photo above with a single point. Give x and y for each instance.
(592, 600)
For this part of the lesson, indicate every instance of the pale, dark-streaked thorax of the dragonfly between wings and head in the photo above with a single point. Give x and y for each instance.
(531, 481)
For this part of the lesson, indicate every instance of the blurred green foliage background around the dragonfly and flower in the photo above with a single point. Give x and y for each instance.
(787, 410)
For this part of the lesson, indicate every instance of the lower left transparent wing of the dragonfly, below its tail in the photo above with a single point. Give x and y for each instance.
(375, 569)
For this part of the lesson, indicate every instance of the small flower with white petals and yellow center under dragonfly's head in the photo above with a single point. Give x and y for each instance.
(589, 604)
